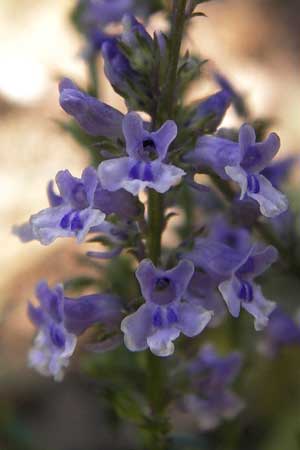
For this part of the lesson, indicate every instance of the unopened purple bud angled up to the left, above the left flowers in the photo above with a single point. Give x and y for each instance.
(94, 117)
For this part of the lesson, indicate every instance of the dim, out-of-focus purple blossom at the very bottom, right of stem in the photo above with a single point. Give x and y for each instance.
(211, 376)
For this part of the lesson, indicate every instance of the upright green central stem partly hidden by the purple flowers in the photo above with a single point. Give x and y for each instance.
(156, 374)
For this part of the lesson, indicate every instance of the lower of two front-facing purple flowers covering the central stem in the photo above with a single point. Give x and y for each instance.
(158, 322)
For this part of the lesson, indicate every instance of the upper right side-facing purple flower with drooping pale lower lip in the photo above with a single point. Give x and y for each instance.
(243, 163)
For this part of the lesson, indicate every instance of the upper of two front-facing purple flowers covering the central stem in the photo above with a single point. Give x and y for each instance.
(144, 166)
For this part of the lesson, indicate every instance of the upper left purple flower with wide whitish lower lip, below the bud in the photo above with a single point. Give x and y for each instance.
(80, 208)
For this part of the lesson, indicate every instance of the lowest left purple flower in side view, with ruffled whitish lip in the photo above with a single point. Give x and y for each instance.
(60, 320)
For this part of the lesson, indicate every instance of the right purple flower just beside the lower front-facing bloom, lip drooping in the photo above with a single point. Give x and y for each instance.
(234, 264)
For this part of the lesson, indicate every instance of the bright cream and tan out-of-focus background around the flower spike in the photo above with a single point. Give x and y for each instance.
(255, 44)
